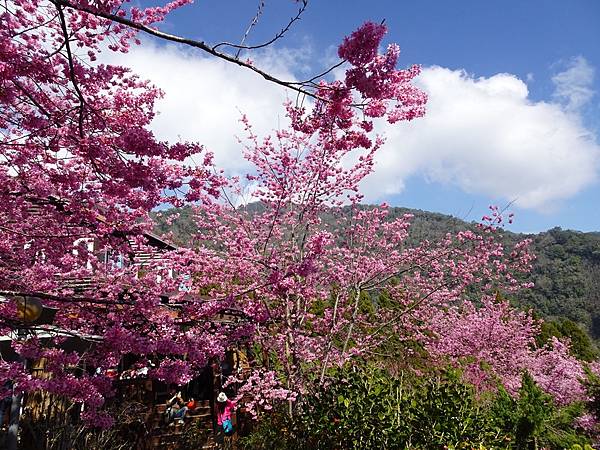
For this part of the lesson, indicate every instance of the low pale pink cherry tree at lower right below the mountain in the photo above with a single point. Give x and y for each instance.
(497, 343)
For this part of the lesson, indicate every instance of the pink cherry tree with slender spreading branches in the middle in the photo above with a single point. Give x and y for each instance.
(308, 263)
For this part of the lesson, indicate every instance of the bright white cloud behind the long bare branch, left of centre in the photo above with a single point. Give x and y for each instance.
(206, 97)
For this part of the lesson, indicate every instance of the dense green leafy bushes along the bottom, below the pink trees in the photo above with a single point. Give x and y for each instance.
(368, 408)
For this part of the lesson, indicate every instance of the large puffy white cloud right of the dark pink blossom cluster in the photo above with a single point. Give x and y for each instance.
(487, 137)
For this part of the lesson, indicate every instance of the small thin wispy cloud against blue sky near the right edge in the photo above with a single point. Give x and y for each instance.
(573, 86)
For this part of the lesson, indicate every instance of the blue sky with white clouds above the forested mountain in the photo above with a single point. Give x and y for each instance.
(533, 60)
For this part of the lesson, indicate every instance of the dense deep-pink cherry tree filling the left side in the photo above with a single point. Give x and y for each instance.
(79, 172)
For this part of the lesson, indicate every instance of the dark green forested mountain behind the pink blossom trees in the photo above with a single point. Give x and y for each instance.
(566, 272)
